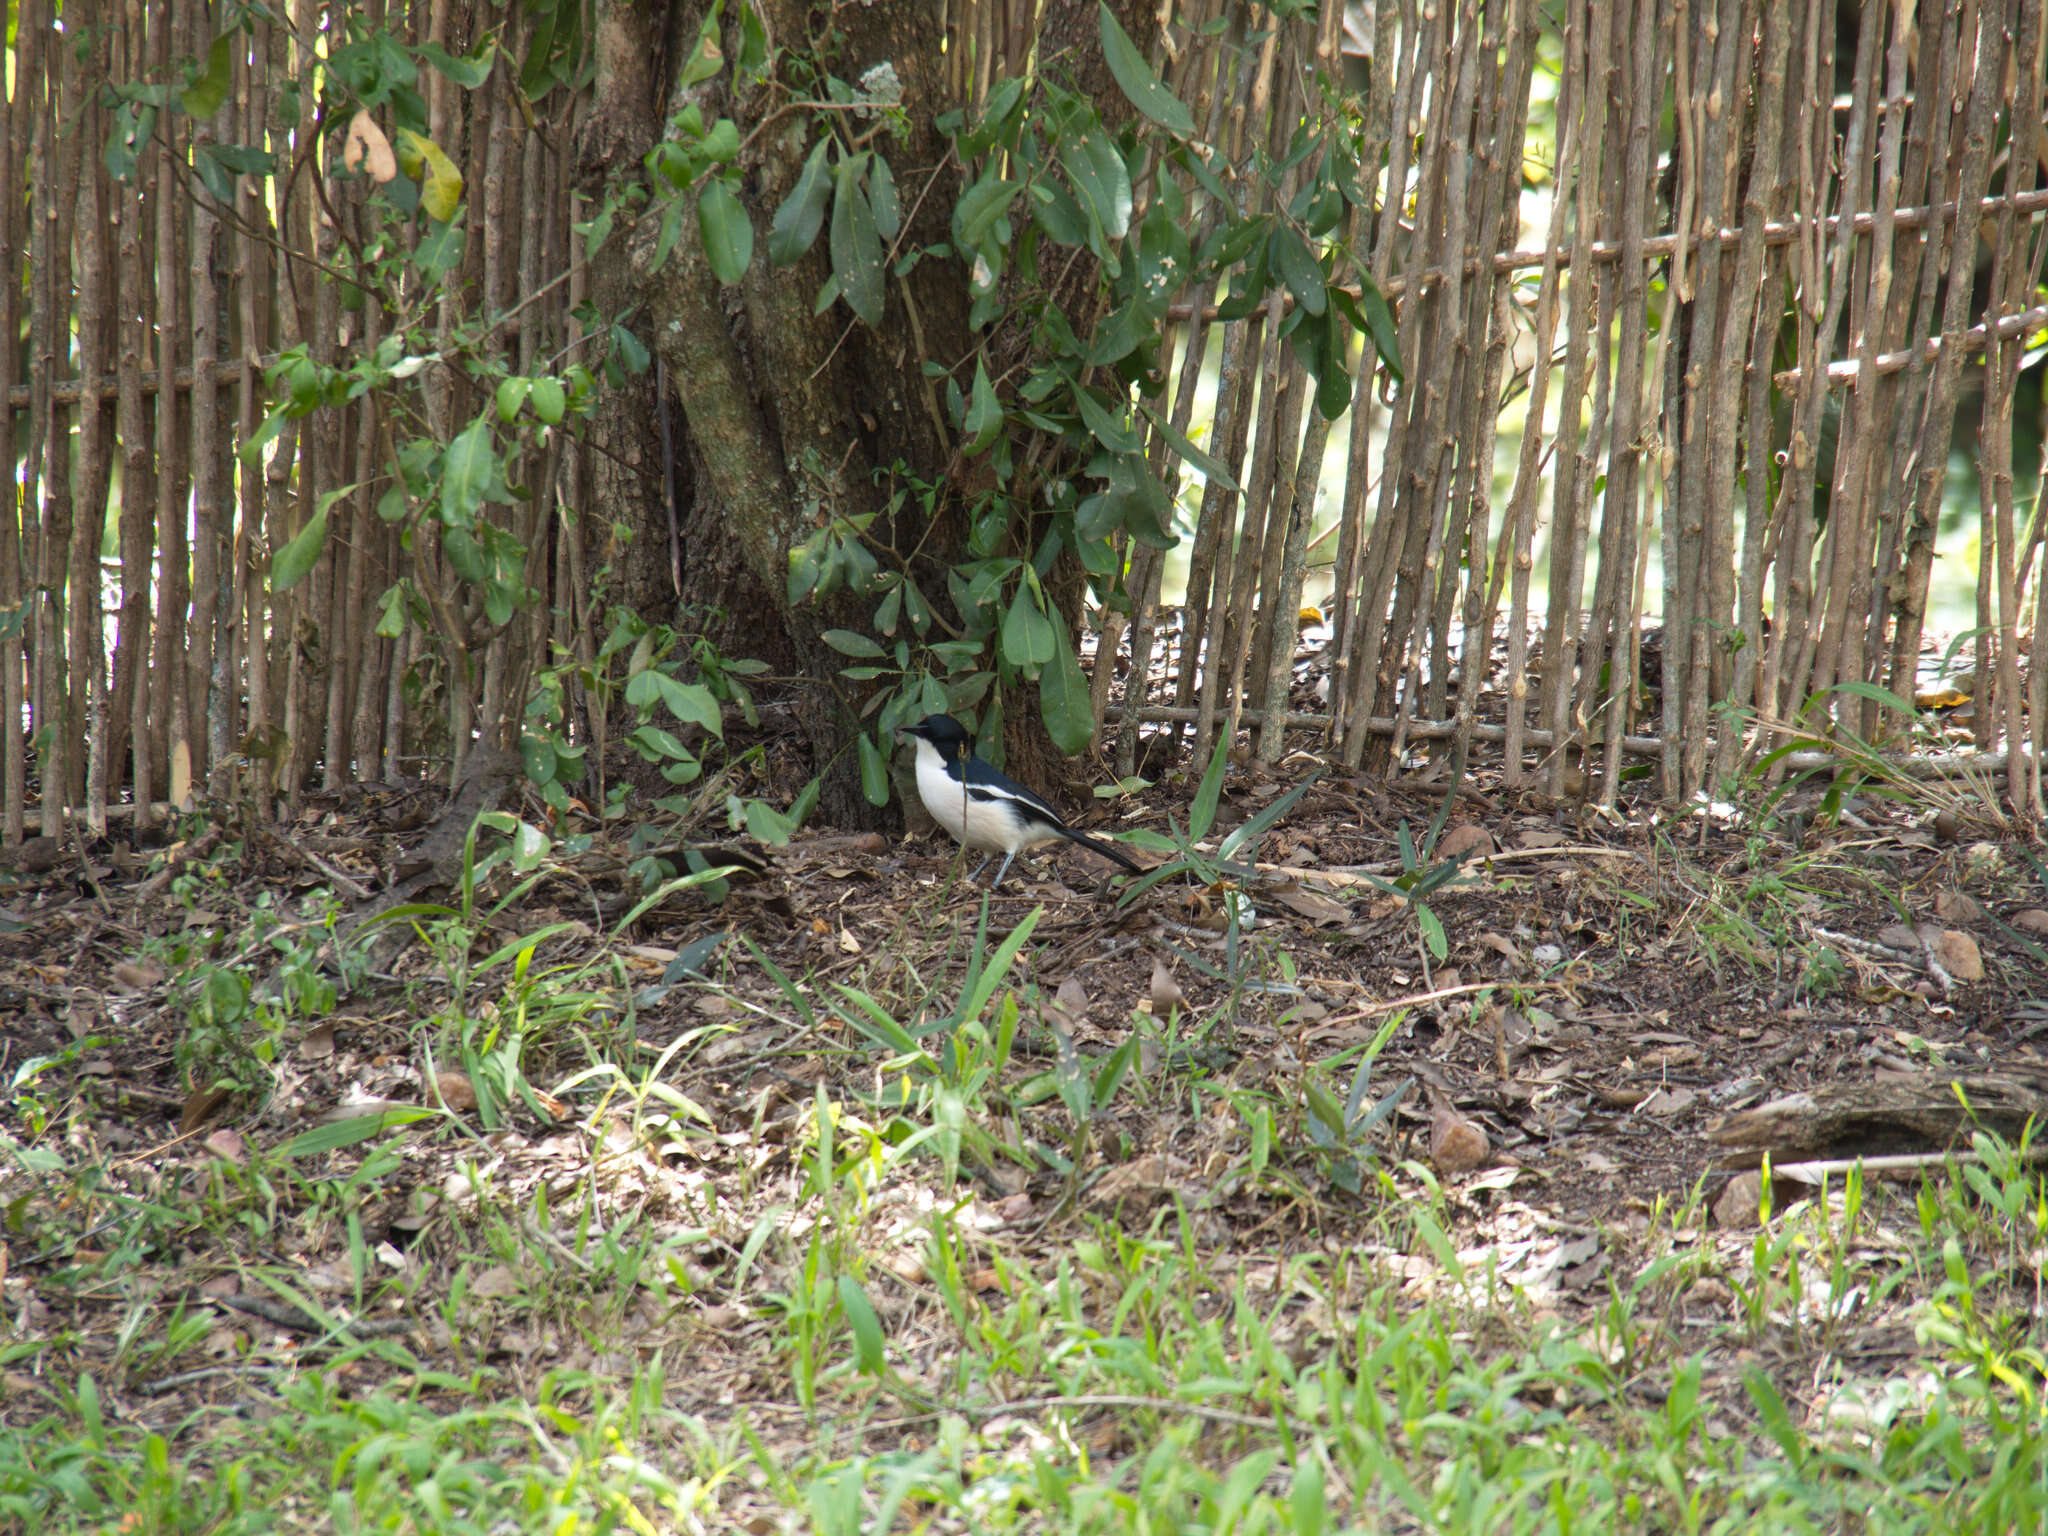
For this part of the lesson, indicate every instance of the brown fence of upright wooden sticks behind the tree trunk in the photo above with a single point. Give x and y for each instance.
(1750, 343)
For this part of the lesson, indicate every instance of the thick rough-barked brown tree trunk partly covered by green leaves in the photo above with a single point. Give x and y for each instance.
(783, 417)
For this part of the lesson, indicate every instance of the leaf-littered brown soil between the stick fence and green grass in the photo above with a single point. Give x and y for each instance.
(1607, 996)
